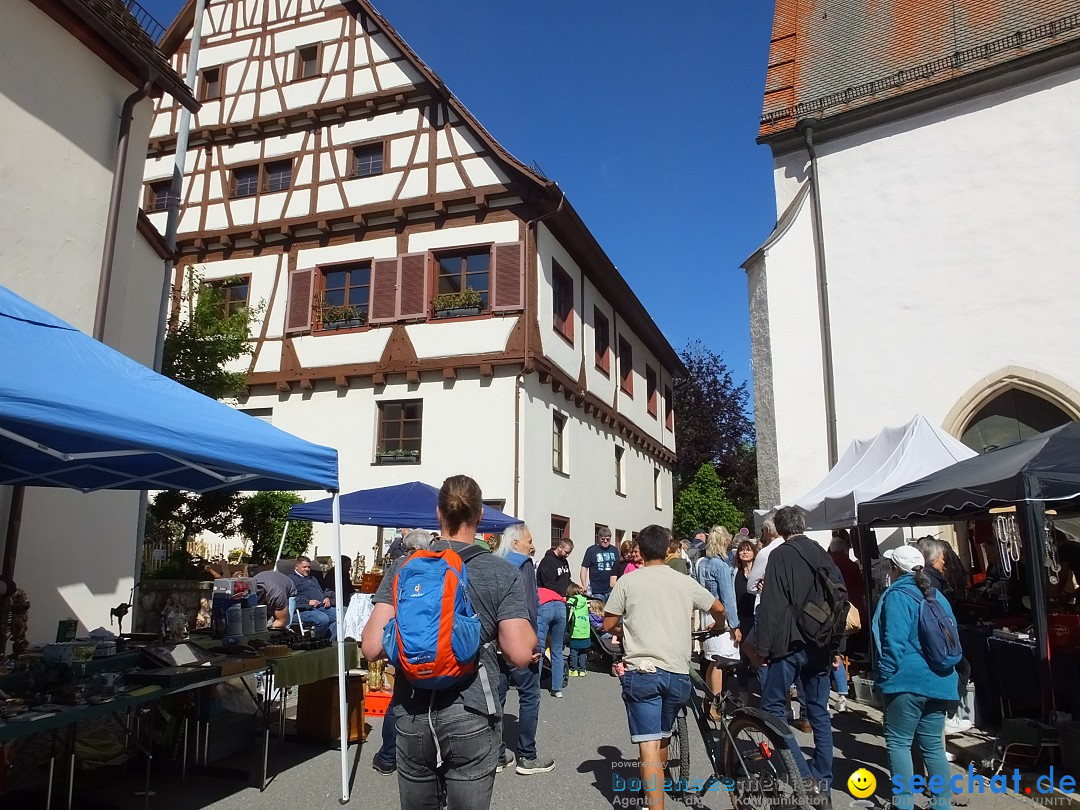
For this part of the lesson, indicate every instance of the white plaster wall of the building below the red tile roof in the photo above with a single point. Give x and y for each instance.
(950, 256)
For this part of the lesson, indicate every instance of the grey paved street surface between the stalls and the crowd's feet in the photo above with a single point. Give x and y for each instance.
(586, 733)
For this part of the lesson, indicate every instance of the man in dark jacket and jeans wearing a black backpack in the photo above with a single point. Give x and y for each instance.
(796, 645)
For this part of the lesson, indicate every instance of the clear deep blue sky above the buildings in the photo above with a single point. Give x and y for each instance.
(645, 114)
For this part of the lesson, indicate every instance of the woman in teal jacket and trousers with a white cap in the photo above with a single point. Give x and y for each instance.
(916, 697)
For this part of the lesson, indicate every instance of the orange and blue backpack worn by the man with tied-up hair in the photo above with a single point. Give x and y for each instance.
(435, 639)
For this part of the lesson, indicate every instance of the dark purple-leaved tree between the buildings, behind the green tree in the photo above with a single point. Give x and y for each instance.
(713, 426)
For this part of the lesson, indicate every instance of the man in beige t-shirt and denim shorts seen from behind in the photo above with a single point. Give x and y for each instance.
(652, 611)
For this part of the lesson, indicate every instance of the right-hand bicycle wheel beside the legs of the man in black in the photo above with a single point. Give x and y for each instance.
(764, 771)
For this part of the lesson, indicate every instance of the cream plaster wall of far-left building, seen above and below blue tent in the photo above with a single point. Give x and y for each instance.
(77, 552)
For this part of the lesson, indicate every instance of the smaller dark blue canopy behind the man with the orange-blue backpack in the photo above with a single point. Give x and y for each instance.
(403, 505)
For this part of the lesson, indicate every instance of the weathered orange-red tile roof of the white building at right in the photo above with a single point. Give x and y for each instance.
(830, 57)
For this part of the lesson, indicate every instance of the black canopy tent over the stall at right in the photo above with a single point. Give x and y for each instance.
(1029, 476)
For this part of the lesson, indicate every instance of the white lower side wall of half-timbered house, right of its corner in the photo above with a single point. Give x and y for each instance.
(587, 495)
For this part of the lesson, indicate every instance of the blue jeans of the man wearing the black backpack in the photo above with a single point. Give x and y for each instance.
(809, 668)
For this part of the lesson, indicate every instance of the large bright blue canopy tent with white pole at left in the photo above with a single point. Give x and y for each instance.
(76, 414)
